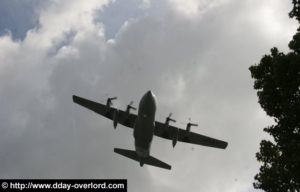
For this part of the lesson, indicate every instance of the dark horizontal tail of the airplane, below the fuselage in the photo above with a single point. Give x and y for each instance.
(149, 161)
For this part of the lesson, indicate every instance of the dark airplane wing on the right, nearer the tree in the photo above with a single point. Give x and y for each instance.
(171, 132)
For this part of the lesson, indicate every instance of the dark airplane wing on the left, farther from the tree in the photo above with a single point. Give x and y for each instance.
(124, 118)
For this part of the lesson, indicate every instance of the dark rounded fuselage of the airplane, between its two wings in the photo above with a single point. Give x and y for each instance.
(144, 125)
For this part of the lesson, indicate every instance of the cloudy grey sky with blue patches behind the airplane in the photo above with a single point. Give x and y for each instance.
(194, 55)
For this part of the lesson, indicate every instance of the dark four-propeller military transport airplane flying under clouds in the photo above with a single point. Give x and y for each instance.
(144, 127)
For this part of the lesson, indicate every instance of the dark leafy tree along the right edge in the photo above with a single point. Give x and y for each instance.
(277, 81)
